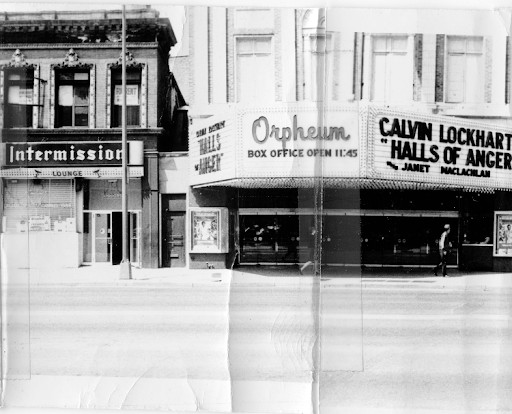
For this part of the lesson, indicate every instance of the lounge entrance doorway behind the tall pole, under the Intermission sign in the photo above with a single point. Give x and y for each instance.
(103, 234)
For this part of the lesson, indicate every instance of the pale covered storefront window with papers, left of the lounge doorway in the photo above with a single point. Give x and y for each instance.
(39, 205)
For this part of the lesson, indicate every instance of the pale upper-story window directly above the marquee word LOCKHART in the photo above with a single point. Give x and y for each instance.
(465, 69)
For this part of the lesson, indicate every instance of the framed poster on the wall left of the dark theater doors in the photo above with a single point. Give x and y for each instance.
(208, 227)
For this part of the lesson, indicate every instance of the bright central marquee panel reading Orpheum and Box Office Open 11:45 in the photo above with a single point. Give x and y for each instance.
(299, 141)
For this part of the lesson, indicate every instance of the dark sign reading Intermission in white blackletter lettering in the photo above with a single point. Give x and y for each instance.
(56, 154)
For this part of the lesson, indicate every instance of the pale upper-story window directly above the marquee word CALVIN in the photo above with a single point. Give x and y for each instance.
(392, 68)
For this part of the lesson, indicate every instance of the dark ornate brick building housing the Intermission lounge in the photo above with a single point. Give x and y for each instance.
(60, 123)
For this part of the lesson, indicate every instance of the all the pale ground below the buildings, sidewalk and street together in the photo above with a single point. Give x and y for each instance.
(390, 340)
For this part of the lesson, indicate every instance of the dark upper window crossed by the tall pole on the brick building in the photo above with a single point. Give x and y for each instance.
(133, 97)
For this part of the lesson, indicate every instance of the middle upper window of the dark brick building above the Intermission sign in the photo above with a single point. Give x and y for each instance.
(72, 92)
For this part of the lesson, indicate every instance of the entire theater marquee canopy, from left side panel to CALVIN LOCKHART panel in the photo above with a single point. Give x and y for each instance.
(348, 146)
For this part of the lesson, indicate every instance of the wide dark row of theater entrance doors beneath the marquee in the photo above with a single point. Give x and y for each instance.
(349, 237)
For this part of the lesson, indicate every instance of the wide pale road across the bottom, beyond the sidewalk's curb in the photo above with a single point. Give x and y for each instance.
(382, 346)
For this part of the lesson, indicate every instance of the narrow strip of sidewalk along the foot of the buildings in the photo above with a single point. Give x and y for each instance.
(249, 275)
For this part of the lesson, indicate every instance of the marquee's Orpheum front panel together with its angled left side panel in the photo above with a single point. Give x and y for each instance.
(278, 142)
